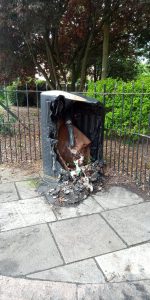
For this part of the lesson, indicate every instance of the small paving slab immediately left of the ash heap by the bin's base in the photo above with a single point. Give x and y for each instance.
(27, 189)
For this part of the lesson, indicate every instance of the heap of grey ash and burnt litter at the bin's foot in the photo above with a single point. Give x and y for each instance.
(76, 185)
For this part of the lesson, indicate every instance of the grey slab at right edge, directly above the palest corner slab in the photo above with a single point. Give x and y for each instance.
(132, 223)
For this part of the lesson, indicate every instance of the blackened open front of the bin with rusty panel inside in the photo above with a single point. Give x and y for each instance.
(75, 132)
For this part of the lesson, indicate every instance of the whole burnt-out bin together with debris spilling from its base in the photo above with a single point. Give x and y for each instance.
(72, 139)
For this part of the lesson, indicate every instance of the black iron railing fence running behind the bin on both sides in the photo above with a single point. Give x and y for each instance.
(127, 128)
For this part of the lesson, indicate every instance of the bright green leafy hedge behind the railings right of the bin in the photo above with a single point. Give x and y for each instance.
(127, 104)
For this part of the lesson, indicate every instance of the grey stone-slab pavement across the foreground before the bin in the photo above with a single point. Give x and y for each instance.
(99, 249)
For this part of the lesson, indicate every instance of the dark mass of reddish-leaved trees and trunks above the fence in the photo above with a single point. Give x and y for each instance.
(66, 38)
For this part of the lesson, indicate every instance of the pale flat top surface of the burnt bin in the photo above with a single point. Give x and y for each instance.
(70, 96)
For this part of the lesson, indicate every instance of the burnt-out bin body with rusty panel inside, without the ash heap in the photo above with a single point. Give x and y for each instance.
(70, 121)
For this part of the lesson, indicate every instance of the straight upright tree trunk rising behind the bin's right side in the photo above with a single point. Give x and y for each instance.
(105, 51)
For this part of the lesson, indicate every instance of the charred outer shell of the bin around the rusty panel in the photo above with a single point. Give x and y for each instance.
(86, 114)
